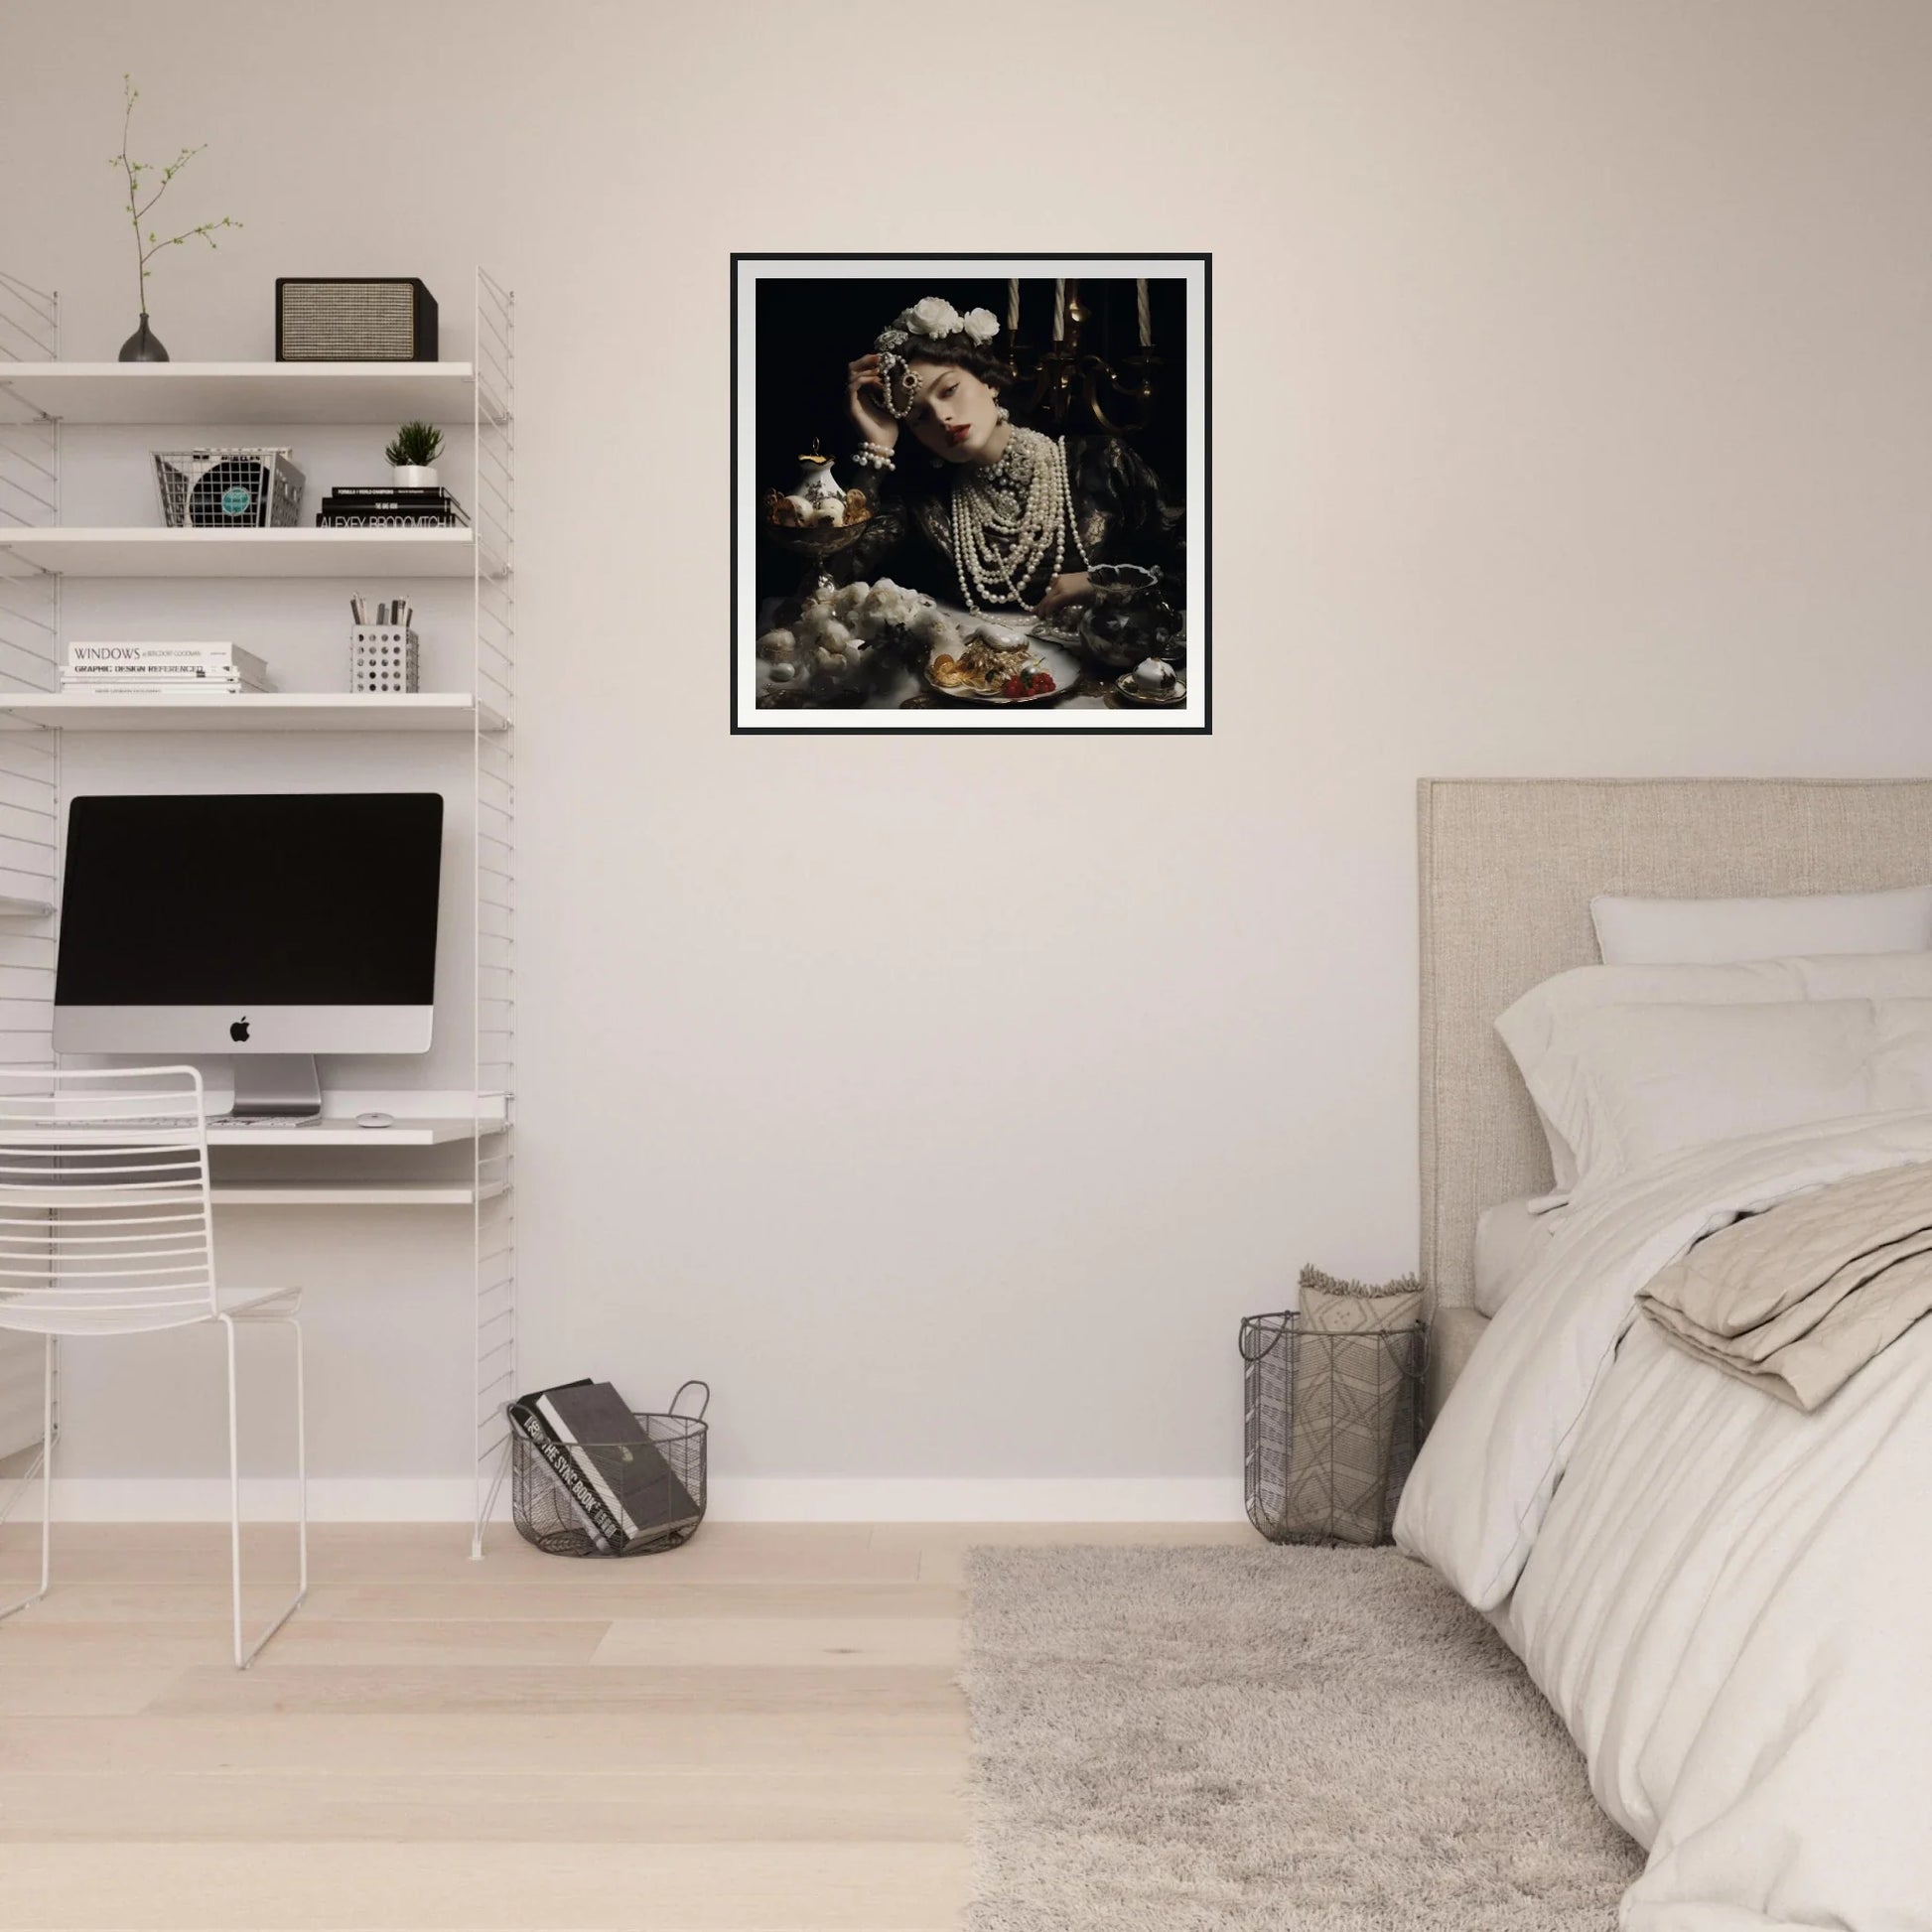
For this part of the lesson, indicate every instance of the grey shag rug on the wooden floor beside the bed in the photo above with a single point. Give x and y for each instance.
(1216, 1740)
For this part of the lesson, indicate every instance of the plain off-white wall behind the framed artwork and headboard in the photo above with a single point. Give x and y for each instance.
(1574, 401)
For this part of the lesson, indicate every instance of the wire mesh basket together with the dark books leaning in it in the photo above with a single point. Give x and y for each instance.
(590, 1477)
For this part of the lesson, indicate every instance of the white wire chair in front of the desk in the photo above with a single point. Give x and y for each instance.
(107, 1230)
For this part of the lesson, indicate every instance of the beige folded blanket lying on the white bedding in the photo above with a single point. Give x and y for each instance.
(1802, 1297)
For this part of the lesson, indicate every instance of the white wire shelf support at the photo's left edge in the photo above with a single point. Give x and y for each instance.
(30, 805)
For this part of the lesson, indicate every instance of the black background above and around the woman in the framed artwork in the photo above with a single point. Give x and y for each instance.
(809, 329)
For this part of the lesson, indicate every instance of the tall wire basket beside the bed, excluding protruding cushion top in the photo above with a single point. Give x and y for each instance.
(1334, 1425)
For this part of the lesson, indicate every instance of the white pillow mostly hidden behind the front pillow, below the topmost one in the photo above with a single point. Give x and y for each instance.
(1531, 1025)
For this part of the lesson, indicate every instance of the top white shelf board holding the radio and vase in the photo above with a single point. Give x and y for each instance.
(242, 393)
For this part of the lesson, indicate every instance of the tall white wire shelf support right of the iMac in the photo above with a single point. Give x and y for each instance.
(494, 517)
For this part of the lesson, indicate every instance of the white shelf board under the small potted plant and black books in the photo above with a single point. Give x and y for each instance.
(244, 554)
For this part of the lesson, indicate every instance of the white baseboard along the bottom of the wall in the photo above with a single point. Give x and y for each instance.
(733, 1500)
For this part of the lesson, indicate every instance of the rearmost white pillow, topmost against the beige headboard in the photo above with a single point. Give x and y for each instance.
(1655, 932)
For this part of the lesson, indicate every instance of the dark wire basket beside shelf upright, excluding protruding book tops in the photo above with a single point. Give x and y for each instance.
(658, 1512)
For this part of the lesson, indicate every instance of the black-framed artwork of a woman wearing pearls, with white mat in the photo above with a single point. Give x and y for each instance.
(971, 494)
